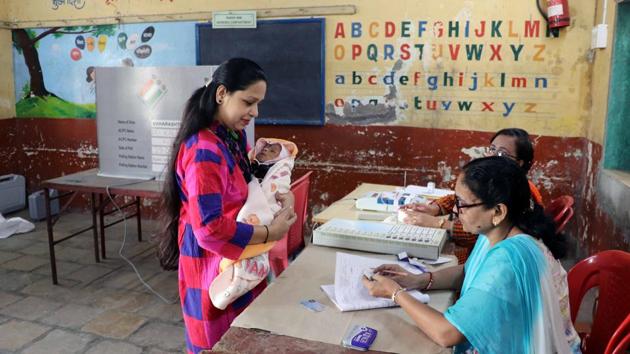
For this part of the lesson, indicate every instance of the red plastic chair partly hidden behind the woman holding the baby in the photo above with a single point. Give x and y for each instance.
(290, 245)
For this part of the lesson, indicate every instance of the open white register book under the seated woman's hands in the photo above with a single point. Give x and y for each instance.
(348, 292)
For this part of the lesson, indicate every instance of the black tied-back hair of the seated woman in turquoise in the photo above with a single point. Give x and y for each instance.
(495, 180)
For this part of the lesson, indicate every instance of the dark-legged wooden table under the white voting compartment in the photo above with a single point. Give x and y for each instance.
(98, 187)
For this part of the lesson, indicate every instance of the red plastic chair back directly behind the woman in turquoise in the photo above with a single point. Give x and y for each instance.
(610, 271)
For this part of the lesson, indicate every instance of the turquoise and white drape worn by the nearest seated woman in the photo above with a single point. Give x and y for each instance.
(508, 303)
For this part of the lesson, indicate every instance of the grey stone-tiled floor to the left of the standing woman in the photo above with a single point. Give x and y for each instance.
(97, 307)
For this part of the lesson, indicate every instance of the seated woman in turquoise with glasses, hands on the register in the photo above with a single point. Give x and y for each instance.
(514, 294)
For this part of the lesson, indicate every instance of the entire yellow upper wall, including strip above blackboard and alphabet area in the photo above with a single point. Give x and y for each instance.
(564, 109)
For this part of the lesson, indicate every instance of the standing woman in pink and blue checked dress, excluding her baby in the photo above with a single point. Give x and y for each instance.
(206, 185)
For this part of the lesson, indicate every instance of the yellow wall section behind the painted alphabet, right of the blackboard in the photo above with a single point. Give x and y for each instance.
(552, 111)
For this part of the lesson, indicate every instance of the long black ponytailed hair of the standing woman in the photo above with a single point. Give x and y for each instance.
(235, 74)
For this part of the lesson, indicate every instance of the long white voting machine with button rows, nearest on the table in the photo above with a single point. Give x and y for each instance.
(378, 237)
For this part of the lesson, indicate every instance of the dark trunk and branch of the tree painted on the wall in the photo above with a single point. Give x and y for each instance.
(25, 42)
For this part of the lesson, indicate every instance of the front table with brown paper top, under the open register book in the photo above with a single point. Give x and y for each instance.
(275, 322)
